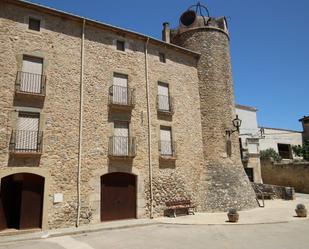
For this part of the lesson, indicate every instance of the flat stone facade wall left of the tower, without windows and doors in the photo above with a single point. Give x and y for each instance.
(59, 43)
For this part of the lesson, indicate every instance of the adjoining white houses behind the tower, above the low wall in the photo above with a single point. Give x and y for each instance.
(254, 138)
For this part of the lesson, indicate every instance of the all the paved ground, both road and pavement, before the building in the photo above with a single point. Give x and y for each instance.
(274, 226)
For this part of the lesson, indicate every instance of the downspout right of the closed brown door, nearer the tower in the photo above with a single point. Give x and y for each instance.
(149, 130)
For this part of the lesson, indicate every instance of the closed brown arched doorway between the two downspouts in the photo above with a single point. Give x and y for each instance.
(118, 196)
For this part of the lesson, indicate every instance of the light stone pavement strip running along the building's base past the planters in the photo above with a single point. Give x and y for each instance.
(275, 211)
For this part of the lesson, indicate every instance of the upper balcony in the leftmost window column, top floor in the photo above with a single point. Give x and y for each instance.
(30, 84)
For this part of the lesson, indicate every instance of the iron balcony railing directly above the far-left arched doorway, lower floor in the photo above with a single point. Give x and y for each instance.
(26, 141)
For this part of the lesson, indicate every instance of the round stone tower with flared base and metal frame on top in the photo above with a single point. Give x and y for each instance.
(224, 183)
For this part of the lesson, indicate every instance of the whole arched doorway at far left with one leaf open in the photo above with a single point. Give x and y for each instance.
(21, 201)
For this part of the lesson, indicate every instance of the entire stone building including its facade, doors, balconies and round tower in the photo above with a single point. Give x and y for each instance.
(100, 123)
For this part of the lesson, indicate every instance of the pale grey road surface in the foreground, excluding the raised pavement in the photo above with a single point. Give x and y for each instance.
(292, 235)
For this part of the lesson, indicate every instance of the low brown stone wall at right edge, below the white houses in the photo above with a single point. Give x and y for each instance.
(291, 174)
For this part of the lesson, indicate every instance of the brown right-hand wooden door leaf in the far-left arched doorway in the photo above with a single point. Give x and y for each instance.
(31, 202)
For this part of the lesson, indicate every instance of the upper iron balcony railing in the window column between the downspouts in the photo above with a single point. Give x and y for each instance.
(121, 96)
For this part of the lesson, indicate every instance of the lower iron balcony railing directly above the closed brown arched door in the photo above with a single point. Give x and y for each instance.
(122, 146)
